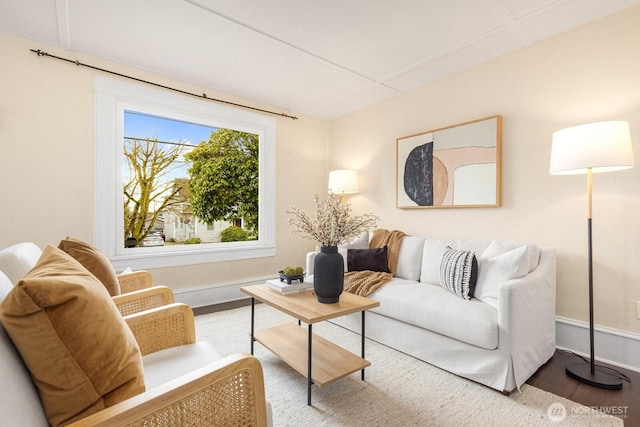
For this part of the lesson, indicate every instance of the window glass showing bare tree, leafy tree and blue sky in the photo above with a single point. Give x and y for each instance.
(183, 179)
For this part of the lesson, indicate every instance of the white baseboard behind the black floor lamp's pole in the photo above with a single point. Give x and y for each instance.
(613, 346)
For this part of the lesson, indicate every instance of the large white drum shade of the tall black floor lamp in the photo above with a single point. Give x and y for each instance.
(600, 146)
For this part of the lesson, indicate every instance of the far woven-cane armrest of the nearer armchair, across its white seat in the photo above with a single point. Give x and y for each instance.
(163, 327)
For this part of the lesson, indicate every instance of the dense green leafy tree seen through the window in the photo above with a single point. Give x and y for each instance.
(224, 178)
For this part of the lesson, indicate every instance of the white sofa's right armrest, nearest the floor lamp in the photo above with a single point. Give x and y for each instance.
(526, 317)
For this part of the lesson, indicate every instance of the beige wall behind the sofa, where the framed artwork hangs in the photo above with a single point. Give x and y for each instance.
(588, 74)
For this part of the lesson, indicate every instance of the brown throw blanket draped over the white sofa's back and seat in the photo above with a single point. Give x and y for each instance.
(365, 282)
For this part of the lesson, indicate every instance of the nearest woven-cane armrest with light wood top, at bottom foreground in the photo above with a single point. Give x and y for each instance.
(229, 391)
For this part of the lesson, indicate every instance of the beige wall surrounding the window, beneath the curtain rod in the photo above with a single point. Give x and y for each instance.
(47, 173)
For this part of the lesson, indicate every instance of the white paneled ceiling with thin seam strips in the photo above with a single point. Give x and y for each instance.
(320, 58)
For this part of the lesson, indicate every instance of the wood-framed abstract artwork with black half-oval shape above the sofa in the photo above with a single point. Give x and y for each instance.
(459, 166)
